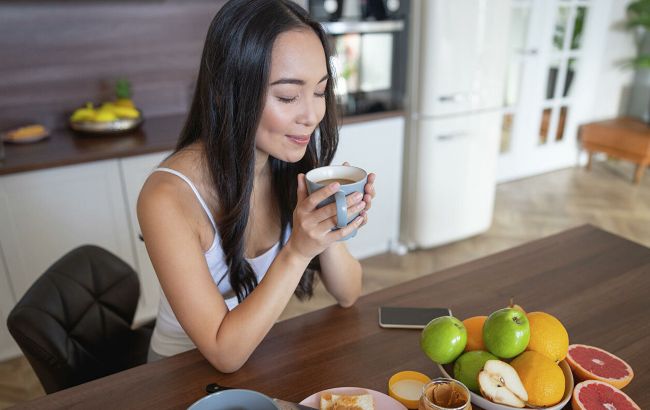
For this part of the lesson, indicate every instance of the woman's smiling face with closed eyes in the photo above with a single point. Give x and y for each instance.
(295, 100)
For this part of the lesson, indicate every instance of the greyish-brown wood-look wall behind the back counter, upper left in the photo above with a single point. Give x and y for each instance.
(56, 55)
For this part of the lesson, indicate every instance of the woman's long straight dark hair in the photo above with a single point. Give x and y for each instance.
(225, 113)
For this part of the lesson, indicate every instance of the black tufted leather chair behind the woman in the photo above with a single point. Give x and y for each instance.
(74, 323)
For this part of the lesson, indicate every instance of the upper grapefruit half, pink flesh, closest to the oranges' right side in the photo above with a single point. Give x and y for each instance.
(592, 363)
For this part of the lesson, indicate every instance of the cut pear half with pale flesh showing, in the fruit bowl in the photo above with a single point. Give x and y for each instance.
(500, 383)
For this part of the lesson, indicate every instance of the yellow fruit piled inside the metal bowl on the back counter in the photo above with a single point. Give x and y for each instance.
(120, 109)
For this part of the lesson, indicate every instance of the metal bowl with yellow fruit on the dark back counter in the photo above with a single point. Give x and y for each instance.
(111, 117)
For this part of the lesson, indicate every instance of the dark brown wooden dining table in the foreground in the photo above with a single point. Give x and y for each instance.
(596, 283)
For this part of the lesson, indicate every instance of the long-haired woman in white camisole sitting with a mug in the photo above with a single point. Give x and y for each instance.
(227, 221)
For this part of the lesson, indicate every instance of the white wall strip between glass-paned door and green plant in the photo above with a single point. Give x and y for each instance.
(613, 81)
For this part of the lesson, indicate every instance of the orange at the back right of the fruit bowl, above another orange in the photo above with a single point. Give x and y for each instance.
(547, 336)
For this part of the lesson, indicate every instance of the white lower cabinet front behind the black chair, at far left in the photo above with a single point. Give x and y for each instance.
(45, 214)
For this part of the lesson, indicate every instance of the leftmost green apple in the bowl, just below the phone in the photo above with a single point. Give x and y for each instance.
(443, 339)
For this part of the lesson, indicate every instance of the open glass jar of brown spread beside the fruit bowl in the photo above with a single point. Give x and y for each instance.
(445, 394)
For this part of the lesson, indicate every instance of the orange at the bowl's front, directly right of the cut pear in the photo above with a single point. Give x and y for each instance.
(542, 378)
